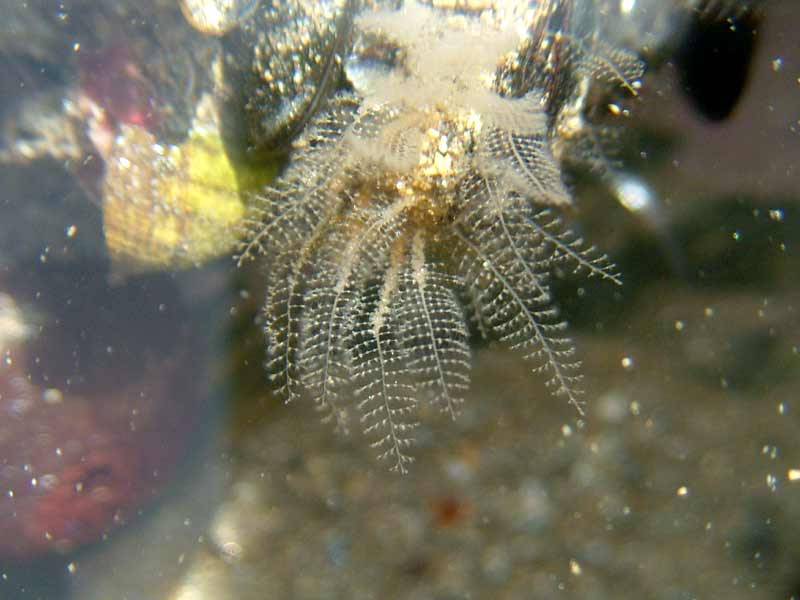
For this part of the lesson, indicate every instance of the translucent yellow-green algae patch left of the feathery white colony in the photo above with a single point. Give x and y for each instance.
(172, 206)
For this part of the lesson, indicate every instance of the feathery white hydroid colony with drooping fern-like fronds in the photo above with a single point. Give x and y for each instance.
(419, 199)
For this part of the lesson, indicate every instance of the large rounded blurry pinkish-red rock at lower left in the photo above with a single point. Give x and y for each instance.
(82, 457)
